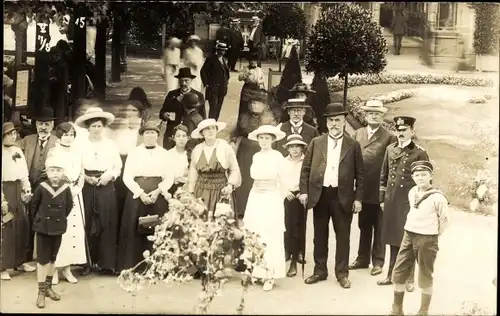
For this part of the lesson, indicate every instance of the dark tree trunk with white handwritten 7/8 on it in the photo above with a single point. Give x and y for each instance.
(41, 84)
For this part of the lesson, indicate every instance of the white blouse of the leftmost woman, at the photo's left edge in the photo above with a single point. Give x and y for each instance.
(14, 166)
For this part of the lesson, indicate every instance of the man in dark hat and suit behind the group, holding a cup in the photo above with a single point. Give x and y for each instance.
(172, 110)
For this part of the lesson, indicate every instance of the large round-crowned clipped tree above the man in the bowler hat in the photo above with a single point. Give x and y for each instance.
(345, 41)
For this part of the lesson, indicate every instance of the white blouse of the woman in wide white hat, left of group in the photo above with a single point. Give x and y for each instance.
(102, 155)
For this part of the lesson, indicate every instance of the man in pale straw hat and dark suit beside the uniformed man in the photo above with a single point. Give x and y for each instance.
(374, 140)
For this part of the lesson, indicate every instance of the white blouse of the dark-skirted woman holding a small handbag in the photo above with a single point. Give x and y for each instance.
(142, 162)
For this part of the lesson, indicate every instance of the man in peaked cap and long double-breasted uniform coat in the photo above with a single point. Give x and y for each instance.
(395, 183)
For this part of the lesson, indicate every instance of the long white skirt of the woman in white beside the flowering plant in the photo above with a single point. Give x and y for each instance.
(265, 216)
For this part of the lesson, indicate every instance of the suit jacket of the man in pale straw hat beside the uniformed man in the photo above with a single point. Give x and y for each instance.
(373, 151)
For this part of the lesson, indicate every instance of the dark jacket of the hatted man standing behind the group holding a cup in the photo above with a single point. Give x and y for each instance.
(172, 104)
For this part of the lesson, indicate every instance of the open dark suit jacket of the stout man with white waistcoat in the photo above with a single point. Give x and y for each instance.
(351, 173)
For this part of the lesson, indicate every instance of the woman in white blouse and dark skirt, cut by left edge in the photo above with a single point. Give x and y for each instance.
(16, 191)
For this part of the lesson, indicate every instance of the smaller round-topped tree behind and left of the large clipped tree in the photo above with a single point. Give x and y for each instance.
(284, 20)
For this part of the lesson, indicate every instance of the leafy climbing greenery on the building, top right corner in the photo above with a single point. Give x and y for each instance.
(487, 30)
